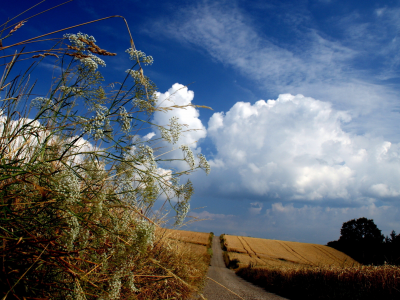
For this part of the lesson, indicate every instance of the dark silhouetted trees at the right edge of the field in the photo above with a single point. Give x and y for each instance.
(362, 240)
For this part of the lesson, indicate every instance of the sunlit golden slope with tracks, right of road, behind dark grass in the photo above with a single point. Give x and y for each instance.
(263, 252)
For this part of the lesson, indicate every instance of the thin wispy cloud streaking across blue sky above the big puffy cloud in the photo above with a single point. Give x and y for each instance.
(319, 66)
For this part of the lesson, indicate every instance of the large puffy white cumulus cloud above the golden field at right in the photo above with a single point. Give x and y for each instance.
(294, 148)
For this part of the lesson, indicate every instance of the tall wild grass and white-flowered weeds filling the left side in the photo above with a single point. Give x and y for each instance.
(78, 184)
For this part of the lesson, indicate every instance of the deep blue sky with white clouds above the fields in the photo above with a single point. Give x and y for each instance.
(305, 96)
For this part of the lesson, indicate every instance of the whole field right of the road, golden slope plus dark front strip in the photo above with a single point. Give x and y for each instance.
(307, 271)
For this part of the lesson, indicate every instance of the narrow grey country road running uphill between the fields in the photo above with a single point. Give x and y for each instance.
(219, 273)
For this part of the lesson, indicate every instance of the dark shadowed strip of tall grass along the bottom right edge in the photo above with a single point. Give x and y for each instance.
(361, 282)
